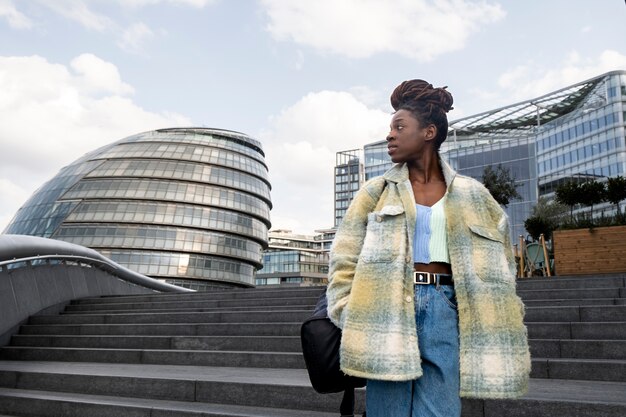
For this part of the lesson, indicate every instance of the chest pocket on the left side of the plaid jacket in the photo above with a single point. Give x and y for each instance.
(385, 237)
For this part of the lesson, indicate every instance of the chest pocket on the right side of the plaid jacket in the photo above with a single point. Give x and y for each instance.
(488, 256)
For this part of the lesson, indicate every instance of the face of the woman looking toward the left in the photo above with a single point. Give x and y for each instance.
(407, 139)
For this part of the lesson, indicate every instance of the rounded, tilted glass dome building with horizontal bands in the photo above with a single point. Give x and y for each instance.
(186, 205)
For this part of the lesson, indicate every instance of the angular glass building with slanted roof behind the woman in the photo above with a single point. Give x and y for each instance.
(576, 132)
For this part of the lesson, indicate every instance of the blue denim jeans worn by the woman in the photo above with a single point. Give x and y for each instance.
(436, 393)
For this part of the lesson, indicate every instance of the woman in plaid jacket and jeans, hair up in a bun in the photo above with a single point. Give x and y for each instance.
(422, 277)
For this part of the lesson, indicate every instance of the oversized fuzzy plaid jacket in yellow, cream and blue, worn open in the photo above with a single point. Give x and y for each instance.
(370, 290)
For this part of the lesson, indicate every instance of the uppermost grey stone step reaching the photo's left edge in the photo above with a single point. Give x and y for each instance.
(288, 360)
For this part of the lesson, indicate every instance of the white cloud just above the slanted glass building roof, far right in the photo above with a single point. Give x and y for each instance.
(535, 79)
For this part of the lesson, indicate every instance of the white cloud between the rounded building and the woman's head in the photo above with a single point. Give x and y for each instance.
(300, 147)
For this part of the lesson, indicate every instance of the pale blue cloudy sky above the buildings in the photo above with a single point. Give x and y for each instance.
(307, 78)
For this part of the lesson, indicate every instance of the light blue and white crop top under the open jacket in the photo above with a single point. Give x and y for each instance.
(430, 243)
